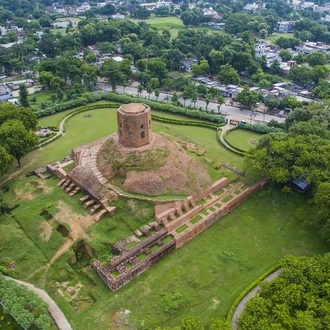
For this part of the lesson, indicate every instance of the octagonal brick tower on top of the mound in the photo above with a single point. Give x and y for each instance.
(134, 124)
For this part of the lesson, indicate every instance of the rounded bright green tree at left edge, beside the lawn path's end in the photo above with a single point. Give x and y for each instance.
(17, 140)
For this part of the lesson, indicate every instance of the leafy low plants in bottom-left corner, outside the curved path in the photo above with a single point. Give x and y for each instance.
(27, 308)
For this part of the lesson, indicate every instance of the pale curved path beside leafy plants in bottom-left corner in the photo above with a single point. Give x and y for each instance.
(58, 316)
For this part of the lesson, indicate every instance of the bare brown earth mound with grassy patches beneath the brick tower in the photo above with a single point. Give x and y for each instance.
(161, 167)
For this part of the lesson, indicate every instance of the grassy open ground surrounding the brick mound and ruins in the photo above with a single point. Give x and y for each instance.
(209, 272)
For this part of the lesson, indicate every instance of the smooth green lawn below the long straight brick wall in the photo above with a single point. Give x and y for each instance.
(215, 266)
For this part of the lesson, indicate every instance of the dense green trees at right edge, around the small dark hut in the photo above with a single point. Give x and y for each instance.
(302, 152)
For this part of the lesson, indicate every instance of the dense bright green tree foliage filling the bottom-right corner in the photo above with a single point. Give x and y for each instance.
(297, 299)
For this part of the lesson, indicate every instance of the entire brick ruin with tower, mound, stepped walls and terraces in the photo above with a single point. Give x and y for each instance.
(106, 170)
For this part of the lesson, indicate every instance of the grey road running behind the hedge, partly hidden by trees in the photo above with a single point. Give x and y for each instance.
(231, 111)
